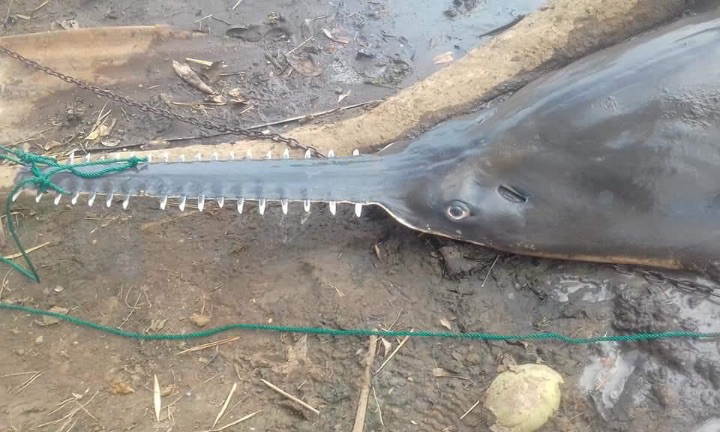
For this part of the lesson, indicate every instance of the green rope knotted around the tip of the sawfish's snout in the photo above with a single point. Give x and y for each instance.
(42, 182)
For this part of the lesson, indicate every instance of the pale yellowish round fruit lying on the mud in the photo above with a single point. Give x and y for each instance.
(525, 398)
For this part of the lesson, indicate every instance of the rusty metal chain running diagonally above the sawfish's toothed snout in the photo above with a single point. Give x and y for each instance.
(206, 124)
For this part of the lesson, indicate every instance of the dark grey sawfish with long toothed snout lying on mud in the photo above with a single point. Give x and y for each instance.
(614, 158)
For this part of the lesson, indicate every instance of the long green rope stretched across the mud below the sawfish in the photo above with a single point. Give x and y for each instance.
(358, 332)
